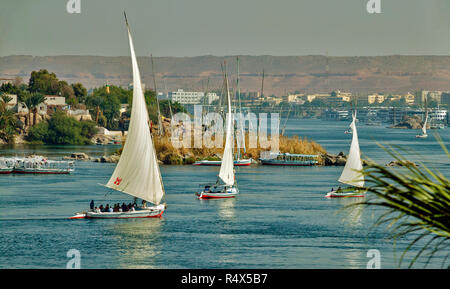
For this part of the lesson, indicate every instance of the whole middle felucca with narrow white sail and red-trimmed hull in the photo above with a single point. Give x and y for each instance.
(225, 184)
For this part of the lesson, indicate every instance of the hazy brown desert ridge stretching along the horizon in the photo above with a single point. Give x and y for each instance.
(283, 74)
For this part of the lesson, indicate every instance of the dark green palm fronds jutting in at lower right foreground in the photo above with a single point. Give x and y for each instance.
(417, 202)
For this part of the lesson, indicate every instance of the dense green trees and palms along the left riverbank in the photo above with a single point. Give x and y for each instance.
(108, 105)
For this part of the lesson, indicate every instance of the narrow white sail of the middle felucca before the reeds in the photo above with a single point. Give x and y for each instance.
(226, 173)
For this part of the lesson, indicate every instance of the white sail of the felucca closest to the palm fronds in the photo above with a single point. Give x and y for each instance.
(351, 175)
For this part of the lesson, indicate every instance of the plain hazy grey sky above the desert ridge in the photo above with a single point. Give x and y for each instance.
(225, 27)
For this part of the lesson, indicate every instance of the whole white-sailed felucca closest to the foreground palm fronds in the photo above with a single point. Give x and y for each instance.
(351, 174)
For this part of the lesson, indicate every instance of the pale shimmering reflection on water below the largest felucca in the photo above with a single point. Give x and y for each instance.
(138, 242)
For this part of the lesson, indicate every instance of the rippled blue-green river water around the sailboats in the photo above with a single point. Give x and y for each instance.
(280, 219)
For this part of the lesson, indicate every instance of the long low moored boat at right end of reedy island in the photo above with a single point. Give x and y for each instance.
(287, 159)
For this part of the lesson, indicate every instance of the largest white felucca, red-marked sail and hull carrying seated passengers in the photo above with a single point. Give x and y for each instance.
(137, 173)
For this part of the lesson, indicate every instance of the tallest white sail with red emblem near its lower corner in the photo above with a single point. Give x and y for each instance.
(137, 172)
